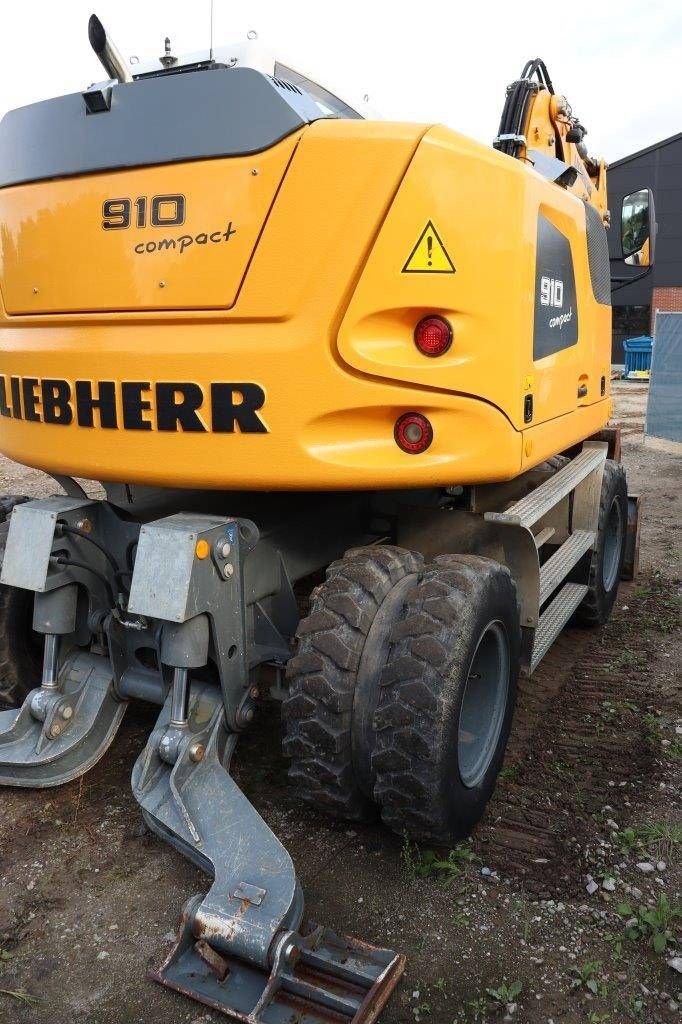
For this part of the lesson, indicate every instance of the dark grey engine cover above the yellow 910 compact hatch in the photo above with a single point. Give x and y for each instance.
(222, 112)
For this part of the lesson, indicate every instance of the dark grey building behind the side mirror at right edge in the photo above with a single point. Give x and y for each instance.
(659, 168)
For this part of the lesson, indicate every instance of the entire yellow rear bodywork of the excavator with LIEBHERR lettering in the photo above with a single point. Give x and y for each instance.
(321, 318)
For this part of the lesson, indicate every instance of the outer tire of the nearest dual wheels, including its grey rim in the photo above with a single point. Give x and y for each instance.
(448, 698)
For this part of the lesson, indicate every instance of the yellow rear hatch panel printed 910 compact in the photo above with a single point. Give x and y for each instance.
(198, 264)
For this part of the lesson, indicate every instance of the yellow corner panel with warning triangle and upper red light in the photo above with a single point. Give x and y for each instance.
(485, 207)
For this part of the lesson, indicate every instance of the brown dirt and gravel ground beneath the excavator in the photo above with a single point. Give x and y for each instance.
(586, 820)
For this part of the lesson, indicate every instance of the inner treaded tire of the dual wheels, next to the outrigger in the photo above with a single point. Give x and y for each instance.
(334, 678)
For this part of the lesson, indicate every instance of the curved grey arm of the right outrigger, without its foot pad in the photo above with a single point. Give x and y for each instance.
(198, 807)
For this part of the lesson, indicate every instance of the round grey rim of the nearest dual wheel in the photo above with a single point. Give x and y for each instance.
(484, 705)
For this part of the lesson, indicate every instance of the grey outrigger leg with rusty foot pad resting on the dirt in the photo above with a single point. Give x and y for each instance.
(241, 950)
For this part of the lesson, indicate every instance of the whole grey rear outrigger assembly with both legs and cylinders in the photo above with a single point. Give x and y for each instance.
(188, 610)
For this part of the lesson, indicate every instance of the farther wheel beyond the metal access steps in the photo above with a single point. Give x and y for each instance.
(607, 562)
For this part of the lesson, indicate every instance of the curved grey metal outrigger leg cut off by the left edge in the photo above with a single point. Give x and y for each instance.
(81, 719)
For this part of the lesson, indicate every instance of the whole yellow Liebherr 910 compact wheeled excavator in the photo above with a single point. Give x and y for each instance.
(297, 346)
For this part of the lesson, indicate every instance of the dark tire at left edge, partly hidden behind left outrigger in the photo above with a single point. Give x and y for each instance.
(21, 649)
